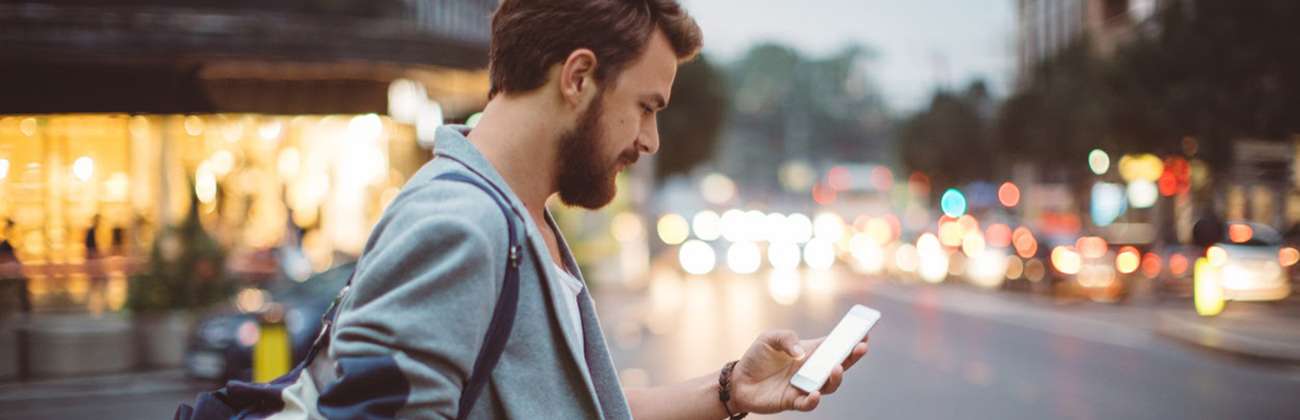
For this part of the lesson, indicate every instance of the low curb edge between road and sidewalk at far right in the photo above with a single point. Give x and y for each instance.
(1199, 334)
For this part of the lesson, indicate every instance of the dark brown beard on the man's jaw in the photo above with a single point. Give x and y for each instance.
(584, 177)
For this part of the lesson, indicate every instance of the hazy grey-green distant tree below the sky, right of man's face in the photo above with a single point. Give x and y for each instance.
(790, 107)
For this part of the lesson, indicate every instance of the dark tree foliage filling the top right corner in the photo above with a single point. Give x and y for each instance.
(1217, 71)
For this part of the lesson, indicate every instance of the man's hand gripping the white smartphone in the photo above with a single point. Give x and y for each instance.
(761, 382)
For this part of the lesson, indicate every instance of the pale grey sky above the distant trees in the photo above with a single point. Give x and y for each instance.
(920, 45)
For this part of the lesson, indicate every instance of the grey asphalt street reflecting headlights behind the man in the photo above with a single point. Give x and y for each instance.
(941, 353)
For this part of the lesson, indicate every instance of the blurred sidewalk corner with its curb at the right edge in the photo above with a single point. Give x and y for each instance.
(1260, 331)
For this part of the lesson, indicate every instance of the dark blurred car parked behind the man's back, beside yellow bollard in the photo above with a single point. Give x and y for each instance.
(222, 347)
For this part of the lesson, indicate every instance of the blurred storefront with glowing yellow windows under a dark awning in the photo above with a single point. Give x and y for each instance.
(289, 129)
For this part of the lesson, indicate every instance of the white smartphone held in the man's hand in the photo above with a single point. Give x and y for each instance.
(835, 349)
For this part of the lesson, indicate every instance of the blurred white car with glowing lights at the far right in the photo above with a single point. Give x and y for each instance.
(1247, 265)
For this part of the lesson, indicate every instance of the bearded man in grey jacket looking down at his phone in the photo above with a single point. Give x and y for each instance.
(575, 90)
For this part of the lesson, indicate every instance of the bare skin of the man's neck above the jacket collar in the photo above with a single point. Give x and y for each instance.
(521, 144)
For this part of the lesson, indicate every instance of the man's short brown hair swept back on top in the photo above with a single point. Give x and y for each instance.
(528, 37)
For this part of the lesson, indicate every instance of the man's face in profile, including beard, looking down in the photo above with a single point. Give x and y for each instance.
(617, 128)
